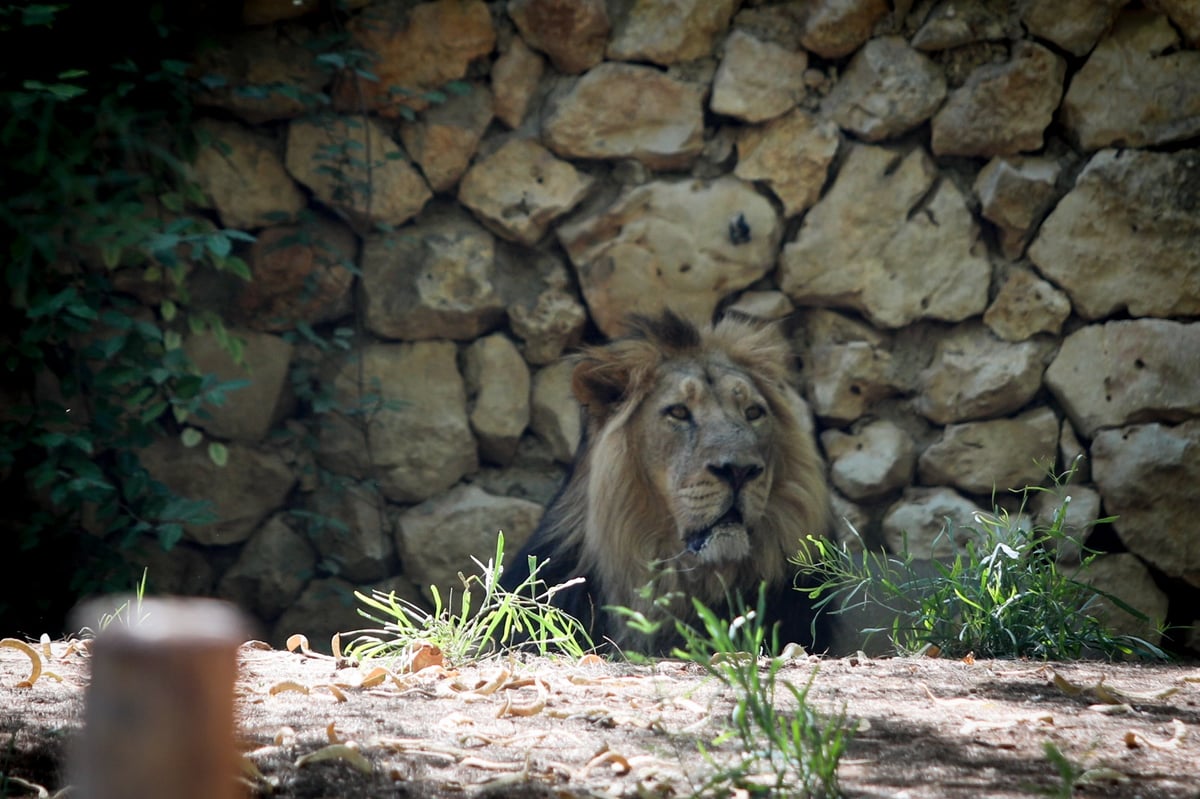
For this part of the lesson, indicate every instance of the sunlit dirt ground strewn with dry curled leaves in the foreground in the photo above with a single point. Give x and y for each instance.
(531, 728)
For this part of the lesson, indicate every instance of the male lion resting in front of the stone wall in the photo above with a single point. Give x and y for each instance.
(697, 474)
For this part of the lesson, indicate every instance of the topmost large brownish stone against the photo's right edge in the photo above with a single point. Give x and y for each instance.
(1137, 88)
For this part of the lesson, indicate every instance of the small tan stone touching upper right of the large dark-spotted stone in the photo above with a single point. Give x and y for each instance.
(791, 155)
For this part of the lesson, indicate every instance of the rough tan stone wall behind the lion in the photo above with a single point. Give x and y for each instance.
(985, 214)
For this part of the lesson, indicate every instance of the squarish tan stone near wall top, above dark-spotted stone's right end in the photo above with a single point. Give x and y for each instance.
(758, 81)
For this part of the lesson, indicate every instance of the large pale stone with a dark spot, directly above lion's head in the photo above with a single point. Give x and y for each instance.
(680, 244)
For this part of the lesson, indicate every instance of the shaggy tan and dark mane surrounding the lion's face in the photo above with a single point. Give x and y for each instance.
(608, 522)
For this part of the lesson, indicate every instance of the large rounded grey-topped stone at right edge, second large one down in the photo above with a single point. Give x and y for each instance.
(1127, 236)
